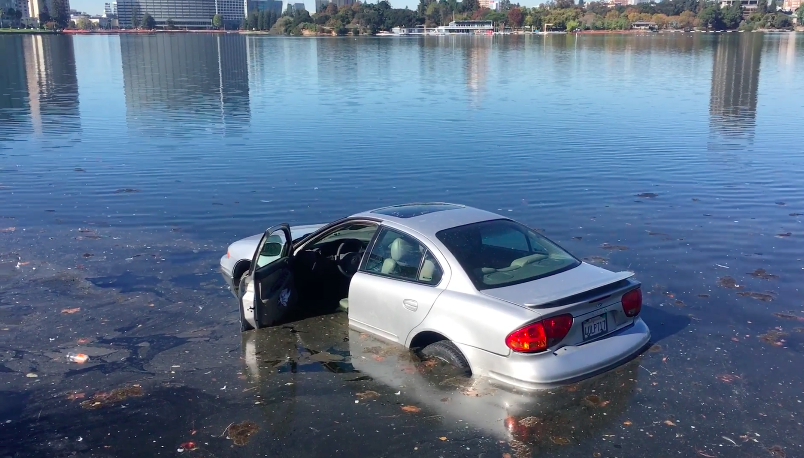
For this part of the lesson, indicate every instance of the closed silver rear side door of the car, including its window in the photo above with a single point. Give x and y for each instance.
(397, 285)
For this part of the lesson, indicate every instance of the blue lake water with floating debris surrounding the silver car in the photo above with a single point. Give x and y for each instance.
(677, 156)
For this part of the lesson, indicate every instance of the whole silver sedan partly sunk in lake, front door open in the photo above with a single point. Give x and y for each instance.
(473, 288)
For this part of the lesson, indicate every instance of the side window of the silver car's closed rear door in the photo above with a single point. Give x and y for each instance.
(399, 255)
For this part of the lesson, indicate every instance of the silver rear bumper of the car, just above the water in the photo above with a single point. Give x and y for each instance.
(565, 365)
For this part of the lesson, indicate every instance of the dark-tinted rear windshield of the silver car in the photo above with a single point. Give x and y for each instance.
(502, 253)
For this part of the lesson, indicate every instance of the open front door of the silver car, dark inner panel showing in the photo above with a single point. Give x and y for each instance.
(268, 292)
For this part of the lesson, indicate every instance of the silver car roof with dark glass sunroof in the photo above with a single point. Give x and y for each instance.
(430, 217)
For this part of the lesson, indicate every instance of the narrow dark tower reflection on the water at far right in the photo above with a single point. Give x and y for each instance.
(735, 83)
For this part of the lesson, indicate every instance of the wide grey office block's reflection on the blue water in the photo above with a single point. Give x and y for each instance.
(198, 77)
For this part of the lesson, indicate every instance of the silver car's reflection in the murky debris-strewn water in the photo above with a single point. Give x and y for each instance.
(348, 361)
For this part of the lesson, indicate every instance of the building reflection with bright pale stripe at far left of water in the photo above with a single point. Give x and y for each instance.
(39, 82)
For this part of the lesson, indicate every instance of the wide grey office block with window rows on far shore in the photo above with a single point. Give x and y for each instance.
(189, 14)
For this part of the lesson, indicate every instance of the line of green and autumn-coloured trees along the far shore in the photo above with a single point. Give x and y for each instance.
(369, 18)
